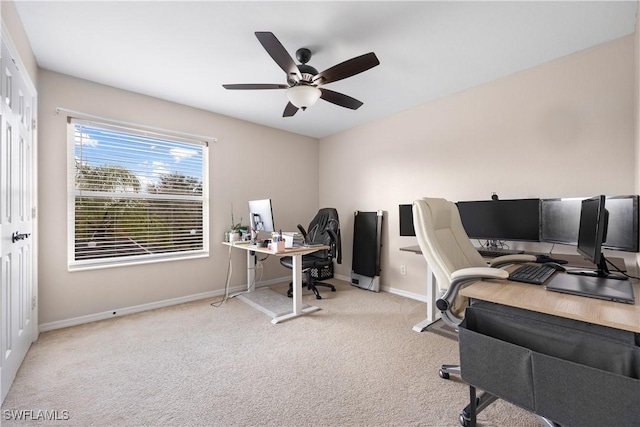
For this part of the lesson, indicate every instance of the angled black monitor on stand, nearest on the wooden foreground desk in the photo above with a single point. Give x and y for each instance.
(592, 232)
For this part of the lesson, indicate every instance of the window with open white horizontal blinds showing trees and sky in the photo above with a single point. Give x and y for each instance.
(134, 196)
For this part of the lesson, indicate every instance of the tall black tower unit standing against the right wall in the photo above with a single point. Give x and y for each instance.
(367, 232)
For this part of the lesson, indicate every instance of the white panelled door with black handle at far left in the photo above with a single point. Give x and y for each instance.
(17, 302)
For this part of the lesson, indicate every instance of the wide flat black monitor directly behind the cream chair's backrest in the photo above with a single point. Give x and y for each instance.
(515, 219)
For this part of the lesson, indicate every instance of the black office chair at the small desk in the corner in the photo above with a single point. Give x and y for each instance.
(324, 229)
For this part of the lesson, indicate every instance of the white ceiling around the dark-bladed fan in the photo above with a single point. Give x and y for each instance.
(183, 51)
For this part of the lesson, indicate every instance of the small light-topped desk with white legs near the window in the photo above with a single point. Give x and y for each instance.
(296, 255)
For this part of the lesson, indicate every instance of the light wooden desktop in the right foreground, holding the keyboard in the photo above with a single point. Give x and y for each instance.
(536, 298)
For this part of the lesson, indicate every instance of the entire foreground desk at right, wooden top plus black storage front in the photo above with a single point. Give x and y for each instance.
(619, 395)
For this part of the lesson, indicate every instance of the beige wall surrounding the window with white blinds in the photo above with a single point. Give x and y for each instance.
(235, 177)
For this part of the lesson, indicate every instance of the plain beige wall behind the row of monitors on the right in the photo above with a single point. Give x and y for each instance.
(562, 129)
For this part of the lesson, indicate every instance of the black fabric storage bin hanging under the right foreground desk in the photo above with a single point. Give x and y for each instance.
(571, 372)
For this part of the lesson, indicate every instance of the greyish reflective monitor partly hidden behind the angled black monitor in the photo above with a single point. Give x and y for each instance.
(560, 220)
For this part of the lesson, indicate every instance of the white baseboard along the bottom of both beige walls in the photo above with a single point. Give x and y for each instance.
(190, 298)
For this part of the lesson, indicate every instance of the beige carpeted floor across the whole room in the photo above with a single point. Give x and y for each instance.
(356, 362)
